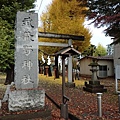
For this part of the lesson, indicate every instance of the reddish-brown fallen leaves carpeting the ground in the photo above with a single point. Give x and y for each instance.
(81, 104)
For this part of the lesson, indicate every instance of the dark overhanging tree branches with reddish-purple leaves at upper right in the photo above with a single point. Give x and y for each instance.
(106, 13)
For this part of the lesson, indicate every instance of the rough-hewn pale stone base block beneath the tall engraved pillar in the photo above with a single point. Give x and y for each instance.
(26, 99)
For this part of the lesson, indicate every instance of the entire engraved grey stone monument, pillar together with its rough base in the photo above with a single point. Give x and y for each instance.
(26, 94)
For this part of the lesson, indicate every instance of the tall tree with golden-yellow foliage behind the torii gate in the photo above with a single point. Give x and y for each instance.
(65, 17)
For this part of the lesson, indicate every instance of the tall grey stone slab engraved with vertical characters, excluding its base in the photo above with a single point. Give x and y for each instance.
(26, 54)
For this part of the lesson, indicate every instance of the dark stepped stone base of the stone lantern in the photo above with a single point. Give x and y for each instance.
(94, 87)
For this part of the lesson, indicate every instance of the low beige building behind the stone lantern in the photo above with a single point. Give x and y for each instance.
(105, 68)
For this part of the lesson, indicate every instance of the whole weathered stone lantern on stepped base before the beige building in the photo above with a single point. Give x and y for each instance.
(94, 85)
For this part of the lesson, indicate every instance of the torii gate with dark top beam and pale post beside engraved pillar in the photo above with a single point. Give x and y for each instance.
(61, 36)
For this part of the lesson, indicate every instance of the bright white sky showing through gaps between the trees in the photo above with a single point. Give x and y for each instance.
(97, 33)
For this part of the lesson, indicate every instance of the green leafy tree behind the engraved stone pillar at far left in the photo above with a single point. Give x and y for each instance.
(8, 10)
